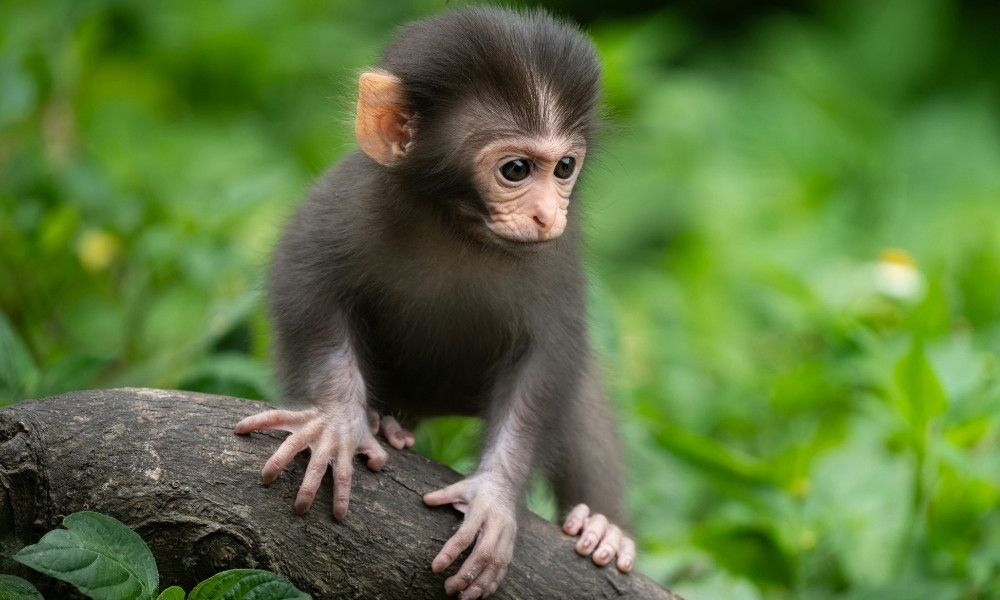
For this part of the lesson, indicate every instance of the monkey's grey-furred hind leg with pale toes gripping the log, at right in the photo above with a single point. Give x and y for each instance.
(586, 476)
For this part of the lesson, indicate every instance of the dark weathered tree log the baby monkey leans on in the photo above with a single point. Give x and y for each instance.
(167, 464)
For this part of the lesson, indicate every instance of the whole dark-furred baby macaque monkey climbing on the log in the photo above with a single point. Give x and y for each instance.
(436, 271)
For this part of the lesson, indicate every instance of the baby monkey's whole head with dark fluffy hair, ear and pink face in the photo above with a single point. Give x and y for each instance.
(497, 142)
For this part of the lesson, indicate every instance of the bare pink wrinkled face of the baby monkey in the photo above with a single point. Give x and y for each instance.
(526, 183)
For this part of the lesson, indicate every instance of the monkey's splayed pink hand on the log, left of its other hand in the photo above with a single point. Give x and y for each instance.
(334, 433)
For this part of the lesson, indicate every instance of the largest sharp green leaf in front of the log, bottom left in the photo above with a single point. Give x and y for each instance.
(99, 555)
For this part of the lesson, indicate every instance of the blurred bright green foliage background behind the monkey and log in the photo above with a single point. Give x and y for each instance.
(794, 236)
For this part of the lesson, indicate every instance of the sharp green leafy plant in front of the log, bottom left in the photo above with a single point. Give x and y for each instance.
(106, 560)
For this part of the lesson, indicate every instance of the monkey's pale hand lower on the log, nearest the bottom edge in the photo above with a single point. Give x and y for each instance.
(490, 515)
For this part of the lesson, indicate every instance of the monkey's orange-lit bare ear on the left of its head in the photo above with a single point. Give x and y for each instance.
(383, 125)
